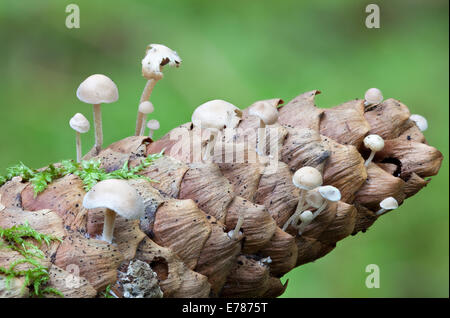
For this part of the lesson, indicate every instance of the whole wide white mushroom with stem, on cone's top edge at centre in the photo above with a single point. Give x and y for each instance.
(214, 116)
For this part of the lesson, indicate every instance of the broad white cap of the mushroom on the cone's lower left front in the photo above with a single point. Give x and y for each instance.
(116, 195)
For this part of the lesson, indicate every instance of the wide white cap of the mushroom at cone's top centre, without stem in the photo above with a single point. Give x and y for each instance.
(215, 114)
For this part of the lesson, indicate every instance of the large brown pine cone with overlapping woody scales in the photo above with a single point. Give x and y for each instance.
(189, 212)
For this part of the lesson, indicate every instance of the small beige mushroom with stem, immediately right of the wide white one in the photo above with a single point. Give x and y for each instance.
(268, 115)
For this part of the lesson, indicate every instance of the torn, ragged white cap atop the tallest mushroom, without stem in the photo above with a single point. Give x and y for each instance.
(156, 56)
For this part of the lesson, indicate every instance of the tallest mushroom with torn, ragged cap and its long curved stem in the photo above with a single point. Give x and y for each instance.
(156, 56)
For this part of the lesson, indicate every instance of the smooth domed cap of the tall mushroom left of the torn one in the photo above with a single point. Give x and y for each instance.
(97, 89)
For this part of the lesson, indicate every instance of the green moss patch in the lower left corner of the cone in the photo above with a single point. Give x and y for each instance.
(37, 276)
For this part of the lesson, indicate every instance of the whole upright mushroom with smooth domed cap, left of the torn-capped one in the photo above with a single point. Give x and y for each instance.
(98, 89)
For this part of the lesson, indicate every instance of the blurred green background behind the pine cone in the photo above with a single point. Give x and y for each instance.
(243, 51)
